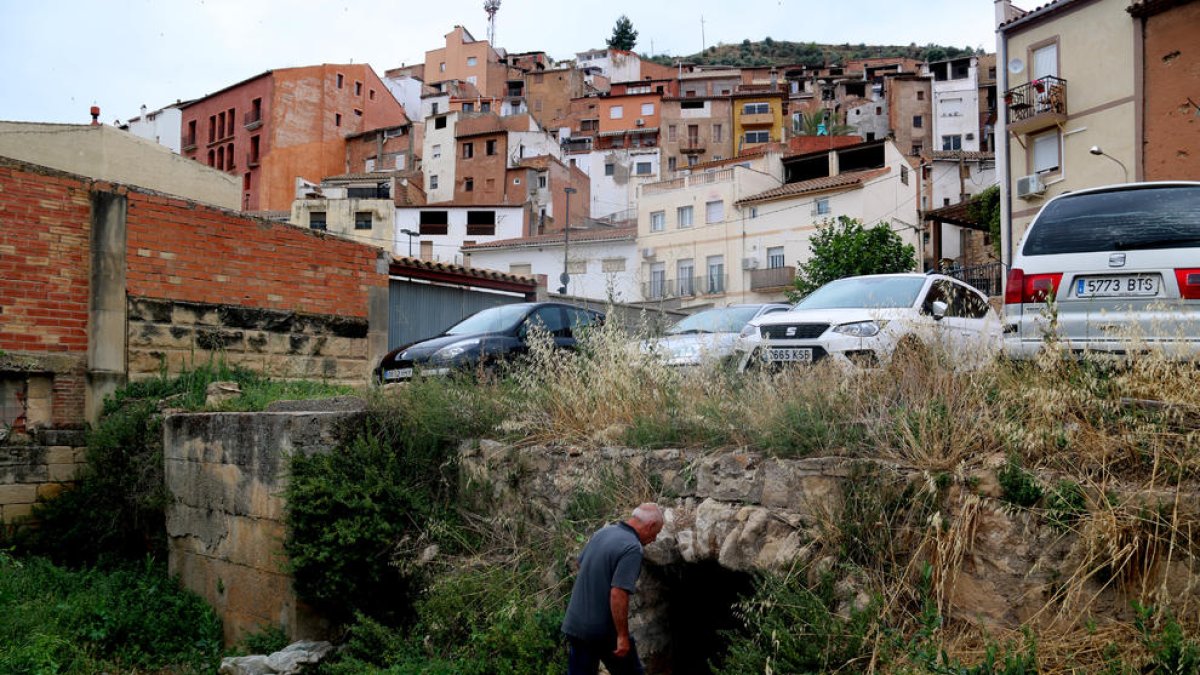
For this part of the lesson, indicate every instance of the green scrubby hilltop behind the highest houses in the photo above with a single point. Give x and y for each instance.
(779, 53)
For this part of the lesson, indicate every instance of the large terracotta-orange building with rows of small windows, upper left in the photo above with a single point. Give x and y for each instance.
(286, 124)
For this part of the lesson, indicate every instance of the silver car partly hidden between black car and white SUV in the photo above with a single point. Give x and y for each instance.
(707, 337)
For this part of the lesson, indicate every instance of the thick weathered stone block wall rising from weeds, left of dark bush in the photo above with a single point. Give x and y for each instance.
(226, 474)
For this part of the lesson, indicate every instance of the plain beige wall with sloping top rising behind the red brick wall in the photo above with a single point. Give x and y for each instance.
(106, 153)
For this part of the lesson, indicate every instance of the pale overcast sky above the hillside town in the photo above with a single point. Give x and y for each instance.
(62, 57)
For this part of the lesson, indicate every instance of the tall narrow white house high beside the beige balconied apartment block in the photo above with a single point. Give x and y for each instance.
(956, 101)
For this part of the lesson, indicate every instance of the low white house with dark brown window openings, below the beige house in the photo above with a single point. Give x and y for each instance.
(440, 231)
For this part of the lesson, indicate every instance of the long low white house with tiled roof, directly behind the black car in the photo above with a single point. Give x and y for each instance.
(603, 262)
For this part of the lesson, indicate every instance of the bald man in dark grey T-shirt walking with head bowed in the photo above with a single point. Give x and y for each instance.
(597, 623)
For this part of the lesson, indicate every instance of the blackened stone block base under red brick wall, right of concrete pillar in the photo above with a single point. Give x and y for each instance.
(176, 336)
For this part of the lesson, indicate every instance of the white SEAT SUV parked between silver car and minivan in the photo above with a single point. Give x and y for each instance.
(863, 320)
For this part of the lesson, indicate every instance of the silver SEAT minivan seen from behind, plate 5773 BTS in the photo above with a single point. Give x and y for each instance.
(1109, 270)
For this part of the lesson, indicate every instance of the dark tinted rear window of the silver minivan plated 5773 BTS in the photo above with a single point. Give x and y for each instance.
(1125, 220)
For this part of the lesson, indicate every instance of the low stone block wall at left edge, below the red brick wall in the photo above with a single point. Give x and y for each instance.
(34, 467)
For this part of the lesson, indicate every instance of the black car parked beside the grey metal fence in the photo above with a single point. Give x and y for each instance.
(485, 339)
